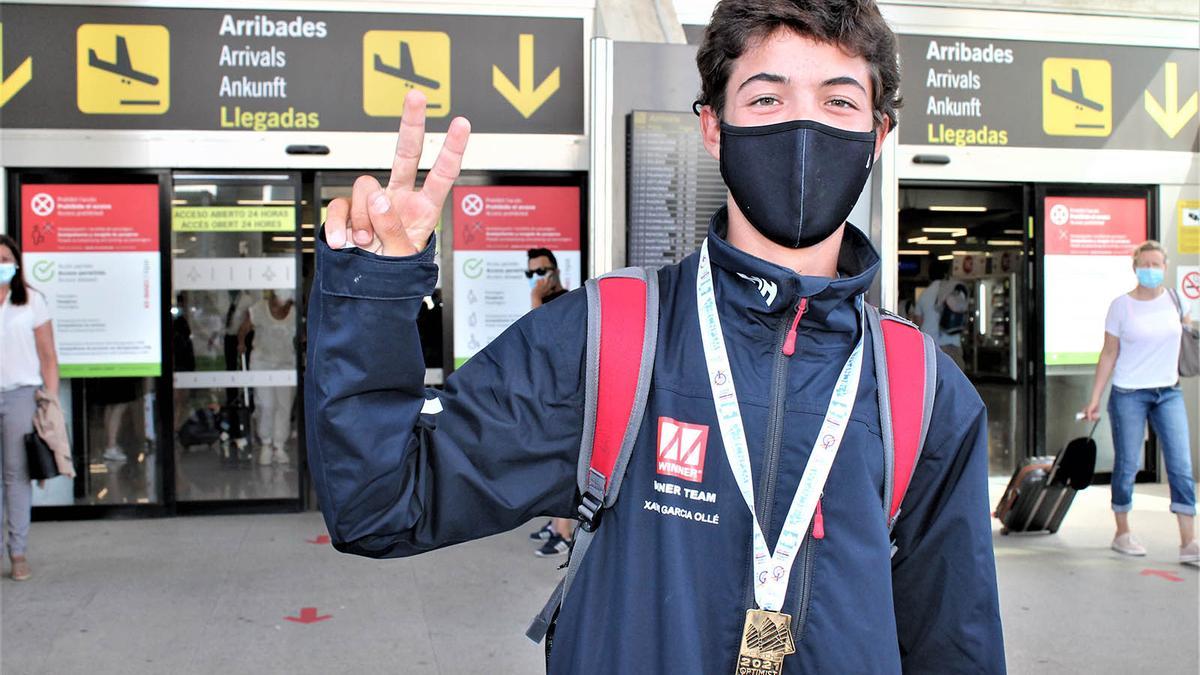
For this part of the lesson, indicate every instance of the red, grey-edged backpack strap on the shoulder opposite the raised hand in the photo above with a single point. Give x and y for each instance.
(907, 380)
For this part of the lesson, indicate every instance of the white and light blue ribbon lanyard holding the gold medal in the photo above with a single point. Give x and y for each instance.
(772, 571)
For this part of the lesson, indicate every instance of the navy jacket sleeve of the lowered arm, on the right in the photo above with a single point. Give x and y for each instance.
(945, 571)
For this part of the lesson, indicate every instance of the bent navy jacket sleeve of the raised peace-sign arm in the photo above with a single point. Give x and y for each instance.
(400, 469)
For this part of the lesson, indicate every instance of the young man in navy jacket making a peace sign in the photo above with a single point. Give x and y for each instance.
(797, 99)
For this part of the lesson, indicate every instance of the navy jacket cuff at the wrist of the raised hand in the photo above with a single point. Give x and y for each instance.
(355, 273)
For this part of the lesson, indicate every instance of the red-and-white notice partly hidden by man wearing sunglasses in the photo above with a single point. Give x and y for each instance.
(494, 230)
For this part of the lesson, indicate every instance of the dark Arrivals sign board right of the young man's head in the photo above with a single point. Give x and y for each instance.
(1007, 93)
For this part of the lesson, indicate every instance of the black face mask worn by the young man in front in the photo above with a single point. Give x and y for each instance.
(796, 182)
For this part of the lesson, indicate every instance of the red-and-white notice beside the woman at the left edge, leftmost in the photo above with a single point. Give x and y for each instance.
(93, 250)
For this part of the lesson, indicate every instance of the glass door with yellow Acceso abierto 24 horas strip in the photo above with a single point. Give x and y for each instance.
(235, 337)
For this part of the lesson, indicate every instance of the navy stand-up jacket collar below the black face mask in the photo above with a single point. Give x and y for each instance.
(767, 290)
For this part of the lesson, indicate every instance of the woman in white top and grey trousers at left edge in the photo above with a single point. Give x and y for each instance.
(27, 362)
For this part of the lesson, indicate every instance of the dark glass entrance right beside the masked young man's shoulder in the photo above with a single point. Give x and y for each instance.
(973, 242)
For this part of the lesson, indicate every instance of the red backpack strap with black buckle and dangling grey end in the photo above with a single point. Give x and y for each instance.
(623, 333)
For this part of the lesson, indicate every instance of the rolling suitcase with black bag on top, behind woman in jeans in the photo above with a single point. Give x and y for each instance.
(1040, 494)
